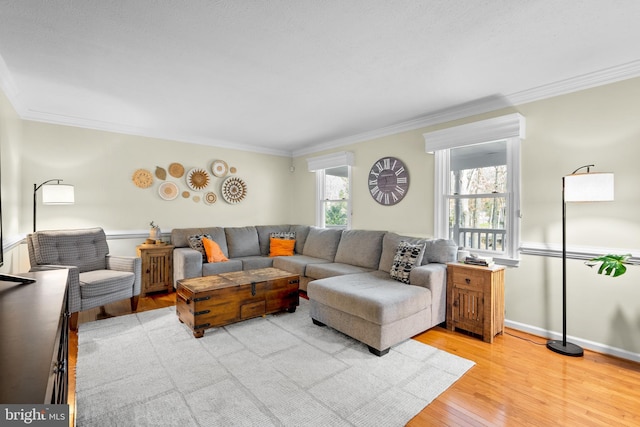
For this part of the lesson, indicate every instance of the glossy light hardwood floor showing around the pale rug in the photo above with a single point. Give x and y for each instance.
(516, 381)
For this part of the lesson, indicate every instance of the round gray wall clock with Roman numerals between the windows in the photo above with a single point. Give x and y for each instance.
(388, 181)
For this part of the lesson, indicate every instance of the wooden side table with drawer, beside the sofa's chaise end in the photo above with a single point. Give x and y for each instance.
(475, 299)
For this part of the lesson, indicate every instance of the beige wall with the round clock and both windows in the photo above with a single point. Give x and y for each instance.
(598, 126)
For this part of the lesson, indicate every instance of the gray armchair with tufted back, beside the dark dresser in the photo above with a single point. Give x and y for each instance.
(95, 277)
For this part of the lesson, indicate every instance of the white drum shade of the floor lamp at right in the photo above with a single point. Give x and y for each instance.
(588, 187)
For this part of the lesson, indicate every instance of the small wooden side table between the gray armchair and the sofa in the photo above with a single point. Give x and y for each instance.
(157, 267)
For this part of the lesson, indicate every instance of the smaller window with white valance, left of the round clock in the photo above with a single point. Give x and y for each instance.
(333, 185)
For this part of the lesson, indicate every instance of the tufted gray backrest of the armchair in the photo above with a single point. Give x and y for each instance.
(85, 248)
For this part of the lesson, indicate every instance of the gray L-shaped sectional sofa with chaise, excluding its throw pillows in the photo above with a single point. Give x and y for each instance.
(346, 274)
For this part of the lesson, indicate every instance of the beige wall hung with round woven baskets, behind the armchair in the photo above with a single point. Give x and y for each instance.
(101, 164)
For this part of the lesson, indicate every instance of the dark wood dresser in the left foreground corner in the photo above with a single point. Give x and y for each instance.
(34, 332)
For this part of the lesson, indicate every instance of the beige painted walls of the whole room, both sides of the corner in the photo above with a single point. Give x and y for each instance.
(598, 126)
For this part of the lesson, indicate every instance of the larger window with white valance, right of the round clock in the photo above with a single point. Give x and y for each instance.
(477, 192)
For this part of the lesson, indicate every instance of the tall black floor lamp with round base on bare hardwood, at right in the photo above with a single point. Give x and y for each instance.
(577, 187)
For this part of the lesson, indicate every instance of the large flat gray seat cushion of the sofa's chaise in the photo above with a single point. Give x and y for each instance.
(371, 296)
